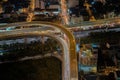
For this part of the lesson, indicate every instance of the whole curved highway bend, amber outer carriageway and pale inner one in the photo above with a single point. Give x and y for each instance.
(70, 57)
